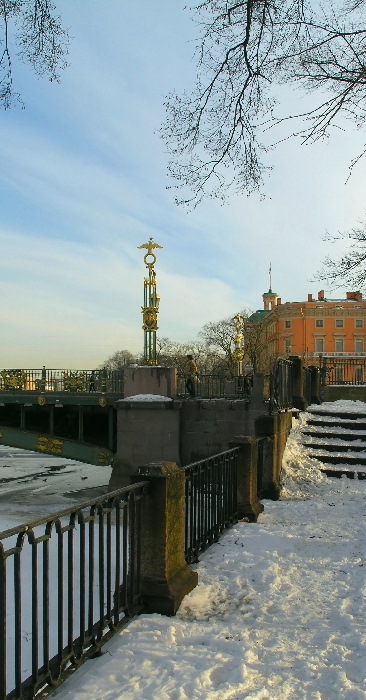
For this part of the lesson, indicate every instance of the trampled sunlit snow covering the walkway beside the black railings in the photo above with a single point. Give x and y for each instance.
(279, 612)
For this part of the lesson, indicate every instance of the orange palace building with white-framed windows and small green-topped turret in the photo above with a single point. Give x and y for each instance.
(312, 328)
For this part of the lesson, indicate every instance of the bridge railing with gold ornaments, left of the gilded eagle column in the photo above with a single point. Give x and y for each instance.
(62, 380)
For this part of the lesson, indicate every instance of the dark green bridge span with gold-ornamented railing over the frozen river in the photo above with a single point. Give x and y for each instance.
(70, 413)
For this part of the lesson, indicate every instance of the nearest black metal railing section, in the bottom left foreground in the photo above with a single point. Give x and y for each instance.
(66, 583)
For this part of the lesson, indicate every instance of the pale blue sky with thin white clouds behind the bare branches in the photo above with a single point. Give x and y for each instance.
(83, 183)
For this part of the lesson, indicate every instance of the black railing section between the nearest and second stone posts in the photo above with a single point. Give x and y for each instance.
(211, 501)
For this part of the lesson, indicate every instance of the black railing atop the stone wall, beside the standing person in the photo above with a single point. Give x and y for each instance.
(207, 386)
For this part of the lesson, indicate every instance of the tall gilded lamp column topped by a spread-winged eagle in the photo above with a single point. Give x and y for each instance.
(150, 309)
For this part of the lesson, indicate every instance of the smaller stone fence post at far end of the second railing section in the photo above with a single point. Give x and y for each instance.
(248, 503)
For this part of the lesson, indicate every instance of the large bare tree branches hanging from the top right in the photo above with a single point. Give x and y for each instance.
(219, 135)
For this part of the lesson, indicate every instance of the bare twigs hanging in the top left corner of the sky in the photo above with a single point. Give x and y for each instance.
(33, 30)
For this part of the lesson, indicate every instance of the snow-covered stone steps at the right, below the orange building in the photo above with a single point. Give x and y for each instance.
(335, 435)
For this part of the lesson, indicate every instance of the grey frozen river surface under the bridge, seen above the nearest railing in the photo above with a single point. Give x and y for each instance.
(32, 484)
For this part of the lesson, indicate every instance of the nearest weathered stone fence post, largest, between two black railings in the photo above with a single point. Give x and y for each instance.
(165, 576)
